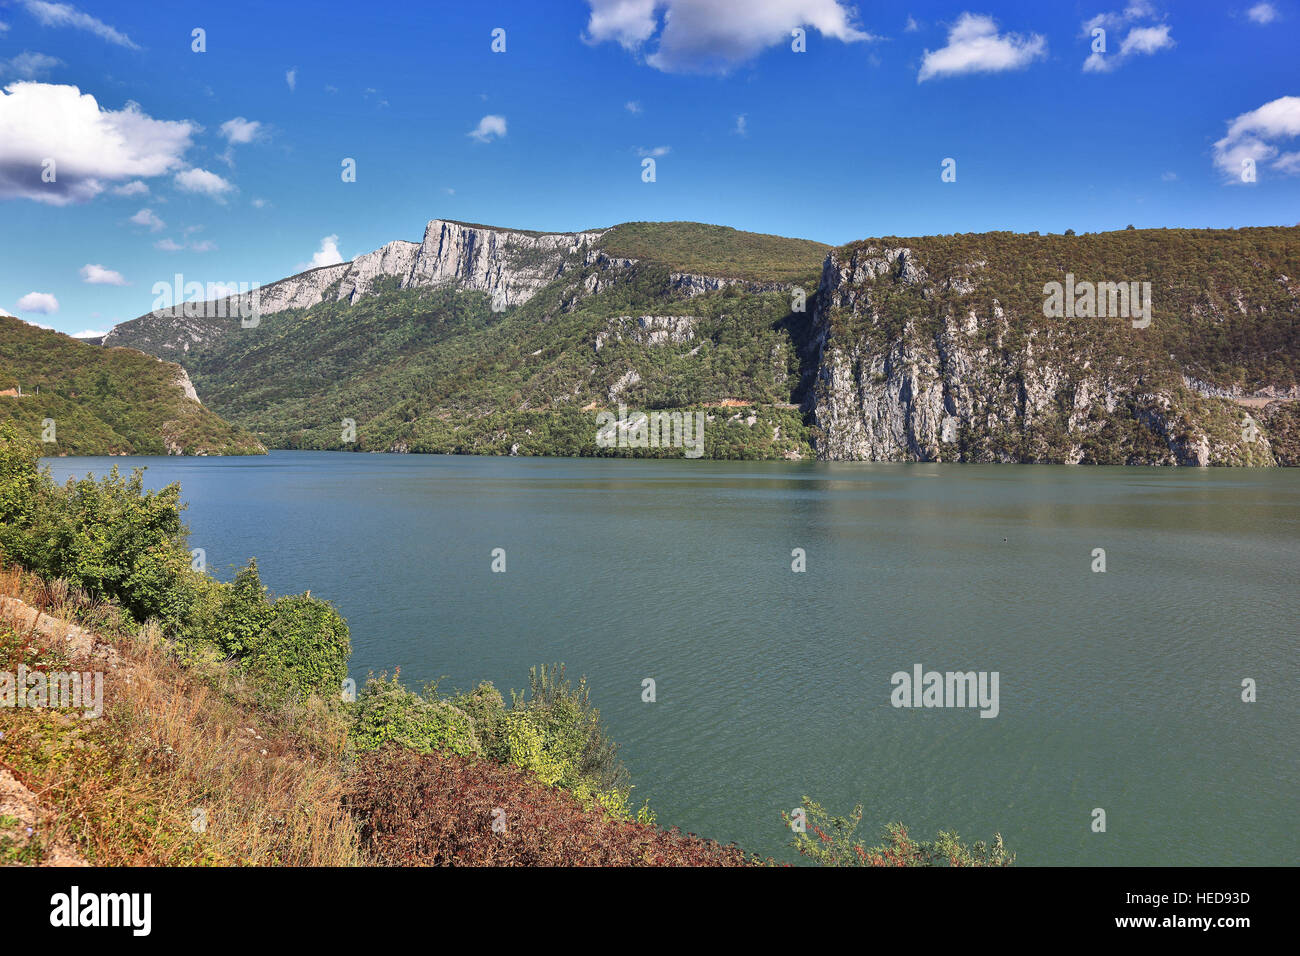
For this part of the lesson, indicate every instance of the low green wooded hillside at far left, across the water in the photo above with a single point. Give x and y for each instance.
(105, 401)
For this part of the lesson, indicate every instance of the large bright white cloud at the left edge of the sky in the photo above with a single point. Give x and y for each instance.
(90, 146)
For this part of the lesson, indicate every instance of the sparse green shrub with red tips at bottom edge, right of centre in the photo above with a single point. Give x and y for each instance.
(830, 841)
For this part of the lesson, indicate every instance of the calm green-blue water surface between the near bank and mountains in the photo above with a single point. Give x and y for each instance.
(1119, 690)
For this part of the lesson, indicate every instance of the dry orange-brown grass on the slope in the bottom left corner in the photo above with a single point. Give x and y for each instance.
(125, 789)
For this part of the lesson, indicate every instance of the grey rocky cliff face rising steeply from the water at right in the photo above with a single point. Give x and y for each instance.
(955, 377)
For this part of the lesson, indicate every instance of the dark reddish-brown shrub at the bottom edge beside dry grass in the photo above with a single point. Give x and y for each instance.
(444, 810)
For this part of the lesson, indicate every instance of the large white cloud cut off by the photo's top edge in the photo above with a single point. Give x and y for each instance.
(713, 36)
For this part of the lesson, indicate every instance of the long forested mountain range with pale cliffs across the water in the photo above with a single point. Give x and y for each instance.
(938, 349)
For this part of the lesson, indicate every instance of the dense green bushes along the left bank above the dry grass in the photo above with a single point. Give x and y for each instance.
(116, 540)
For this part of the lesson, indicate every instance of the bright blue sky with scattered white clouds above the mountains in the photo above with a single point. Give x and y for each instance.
(228, 166)
